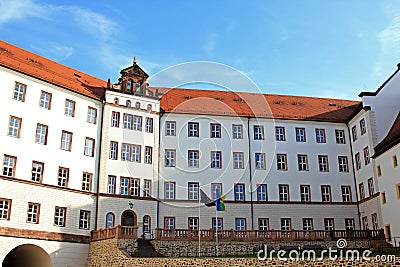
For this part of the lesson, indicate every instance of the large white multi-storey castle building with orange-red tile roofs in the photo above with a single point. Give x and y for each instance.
(81, 154)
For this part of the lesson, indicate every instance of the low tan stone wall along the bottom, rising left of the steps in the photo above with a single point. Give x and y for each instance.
(106, 253)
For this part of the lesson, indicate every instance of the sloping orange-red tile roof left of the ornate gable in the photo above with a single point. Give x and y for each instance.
(31, 64)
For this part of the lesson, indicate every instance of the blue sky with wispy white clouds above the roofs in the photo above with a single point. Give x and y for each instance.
(313, 48)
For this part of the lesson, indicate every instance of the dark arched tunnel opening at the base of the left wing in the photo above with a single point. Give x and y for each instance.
(27, 255)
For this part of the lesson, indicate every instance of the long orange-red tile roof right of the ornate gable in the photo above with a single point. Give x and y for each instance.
(214, 102)
